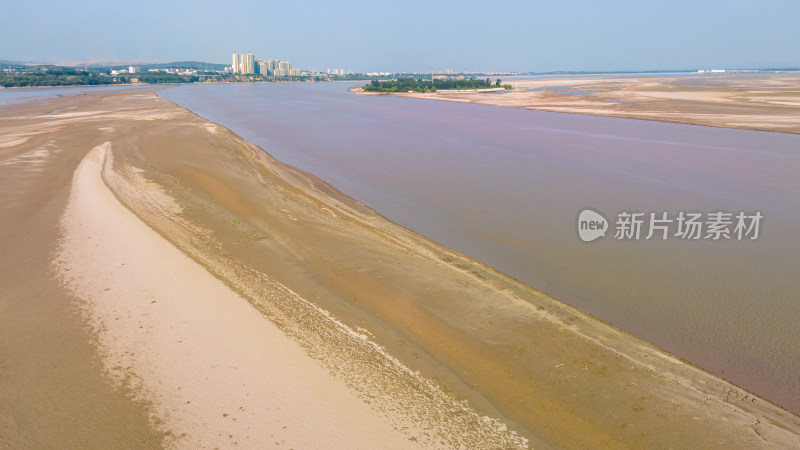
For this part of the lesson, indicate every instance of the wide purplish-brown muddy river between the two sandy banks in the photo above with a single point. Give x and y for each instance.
(506, 186)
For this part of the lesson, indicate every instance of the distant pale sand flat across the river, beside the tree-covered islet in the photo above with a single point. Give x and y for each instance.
(766, 102)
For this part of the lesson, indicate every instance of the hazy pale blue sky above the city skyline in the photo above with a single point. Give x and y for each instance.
(411, 35)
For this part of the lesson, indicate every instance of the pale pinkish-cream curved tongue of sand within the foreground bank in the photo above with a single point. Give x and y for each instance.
(208, 363)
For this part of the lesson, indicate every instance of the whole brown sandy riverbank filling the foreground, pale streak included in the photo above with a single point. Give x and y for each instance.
(374, 323)
